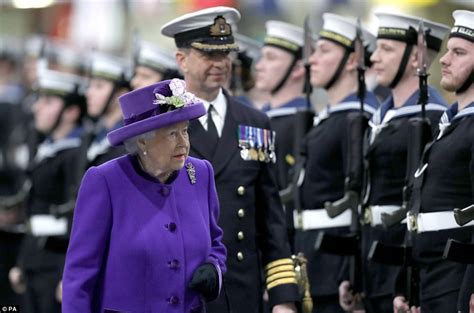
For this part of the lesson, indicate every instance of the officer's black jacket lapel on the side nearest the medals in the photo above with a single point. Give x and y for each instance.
(228, 143)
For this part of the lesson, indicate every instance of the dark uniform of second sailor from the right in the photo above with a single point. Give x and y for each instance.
(387, 162)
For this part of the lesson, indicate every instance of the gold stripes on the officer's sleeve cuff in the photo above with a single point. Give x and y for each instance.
(280, 272)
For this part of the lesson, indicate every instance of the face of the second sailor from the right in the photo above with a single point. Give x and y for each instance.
(386, 60)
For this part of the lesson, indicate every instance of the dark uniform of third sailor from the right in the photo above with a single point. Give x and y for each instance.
(325, 171)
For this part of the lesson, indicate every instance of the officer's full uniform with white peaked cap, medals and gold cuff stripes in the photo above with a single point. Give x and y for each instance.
(251, 214)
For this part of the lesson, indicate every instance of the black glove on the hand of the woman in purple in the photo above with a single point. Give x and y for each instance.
(205, 281)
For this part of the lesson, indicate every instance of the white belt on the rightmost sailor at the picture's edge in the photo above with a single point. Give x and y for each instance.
(434, 221)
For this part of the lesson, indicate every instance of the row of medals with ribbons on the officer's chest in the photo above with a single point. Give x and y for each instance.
(256, 144)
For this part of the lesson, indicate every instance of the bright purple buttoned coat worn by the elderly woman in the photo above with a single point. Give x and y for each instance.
(136, 242)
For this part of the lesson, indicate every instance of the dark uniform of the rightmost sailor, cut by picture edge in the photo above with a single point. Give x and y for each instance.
(445, 181)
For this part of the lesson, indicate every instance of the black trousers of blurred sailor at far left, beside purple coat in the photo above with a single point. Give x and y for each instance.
(40, 291)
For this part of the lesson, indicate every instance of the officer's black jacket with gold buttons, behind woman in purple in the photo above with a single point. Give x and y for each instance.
(251, 214)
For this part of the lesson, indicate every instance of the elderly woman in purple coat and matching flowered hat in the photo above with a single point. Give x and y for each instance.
(145, 236)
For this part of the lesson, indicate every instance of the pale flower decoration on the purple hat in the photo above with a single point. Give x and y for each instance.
(180, 97)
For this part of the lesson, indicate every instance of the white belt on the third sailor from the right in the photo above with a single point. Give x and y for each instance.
(318, 219)
